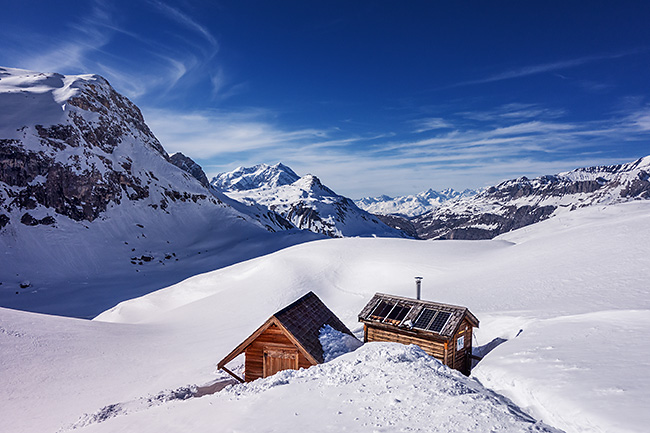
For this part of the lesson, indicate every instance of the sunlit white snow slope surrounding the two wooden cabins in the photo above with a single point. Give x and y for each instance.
(569, 296)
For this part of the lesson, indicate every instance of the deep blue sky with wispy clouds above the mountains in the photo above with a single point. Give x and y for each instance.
(374, 97)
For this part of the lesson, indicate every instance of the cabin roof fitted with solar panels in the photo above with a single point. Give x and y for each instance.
(416, 315)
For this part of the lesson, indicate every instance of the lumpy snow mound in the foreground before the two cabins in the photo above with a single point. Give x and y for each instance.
(380, 387)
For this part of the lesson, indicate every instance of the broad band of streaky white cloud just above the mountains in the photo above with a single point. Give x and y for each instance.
(474, 156)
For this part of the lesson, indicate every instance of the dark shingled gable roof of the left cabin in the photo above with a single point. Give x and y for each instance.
(304, 318)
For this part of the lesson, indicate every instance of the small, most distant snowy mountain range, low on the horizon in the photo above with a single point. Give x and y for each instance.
(410, 205)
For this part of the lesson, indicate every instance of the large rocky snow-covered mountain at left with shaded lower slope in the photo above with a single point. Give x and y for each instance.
(85, 186)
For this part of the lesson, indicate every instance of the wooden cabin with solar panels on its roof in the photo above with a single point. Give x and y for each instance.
(441, 330)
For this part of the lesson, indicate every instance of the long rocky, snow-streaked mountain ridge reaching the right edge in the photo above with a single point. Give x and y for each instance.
(520, 202)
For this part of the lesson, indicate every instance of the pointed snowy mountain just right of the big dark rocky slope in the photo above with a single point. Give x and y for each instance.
(304, 201)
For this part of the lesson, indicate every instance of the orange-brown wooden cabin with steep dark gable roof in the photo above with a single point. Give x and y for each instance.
(287, 340)
